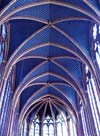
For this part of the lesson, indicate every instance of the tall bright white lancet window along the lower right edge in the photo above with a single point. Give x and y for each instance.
(94, 99)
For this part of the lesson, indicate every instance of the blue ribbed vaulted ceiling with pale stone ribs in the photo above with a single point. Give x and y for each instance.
(49, 43)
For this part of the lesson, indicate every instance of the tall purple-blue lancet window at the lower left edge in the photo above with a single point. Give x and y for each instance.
(5, 102)
